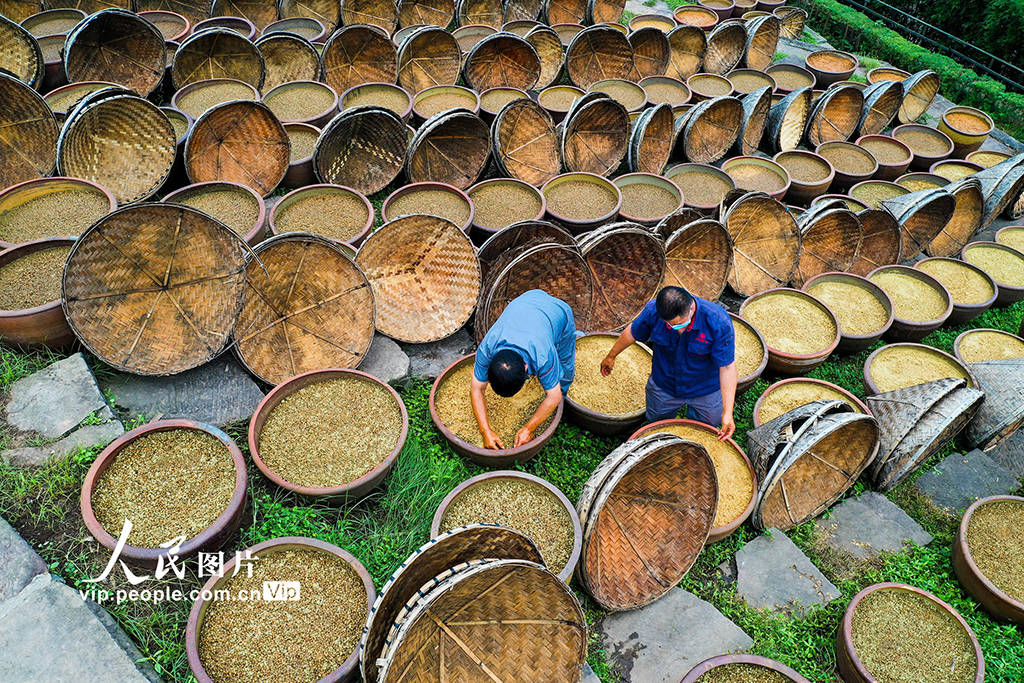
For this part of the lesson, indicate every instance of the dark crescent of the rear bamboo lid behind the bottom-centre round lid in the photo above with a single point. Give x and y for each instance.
(452, 549)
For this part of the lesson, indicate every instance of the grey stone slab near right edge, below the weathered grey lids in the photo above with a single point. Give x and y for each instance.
(964, 478)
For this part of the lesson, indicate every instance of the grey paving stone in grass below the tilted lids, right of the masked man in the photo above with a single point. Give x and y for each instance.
(870, 525)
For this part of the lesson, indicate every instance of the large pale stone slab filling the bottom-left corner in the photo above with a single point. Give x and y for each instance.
(50, 633)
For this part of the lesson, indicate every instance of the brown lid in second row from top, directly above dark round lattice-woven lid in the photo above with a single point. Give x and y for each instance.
(358, 55)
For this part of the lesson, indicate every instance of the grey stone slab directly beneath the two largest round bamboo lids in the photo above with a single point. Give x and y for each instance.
(220, 393)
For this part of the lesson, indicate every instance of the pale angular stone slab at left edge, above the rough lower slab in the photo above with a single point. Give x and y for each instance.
(56, 400)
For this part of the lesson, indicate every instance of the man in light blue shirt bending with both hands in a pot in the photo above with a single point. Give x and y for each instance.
(535, 335)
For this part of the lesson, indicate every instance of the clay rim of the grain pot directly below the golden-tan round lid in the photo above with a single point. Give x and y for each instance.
(285, 390)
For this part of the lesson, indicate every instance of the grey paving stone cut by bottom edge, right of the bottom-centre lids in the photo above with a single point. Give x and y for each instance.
(662, 643)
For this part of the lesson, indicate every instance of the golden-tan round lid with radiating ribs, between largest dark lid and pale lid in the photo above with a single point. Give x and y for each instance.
(308, 307)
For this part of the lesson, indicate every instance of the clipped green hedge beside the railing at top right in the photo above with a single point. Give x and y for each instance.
(848, 29)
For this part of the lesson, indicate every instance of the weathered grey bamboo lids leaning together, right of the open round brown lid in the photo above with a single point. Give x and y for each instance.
(916, 422)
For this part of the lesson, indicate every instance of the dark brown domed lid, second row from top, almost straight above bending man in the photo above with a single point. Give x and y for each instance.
(503, 60)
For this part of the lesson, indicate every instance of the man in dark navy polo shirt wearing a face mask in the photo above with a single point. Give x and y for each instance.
(695, 359)
